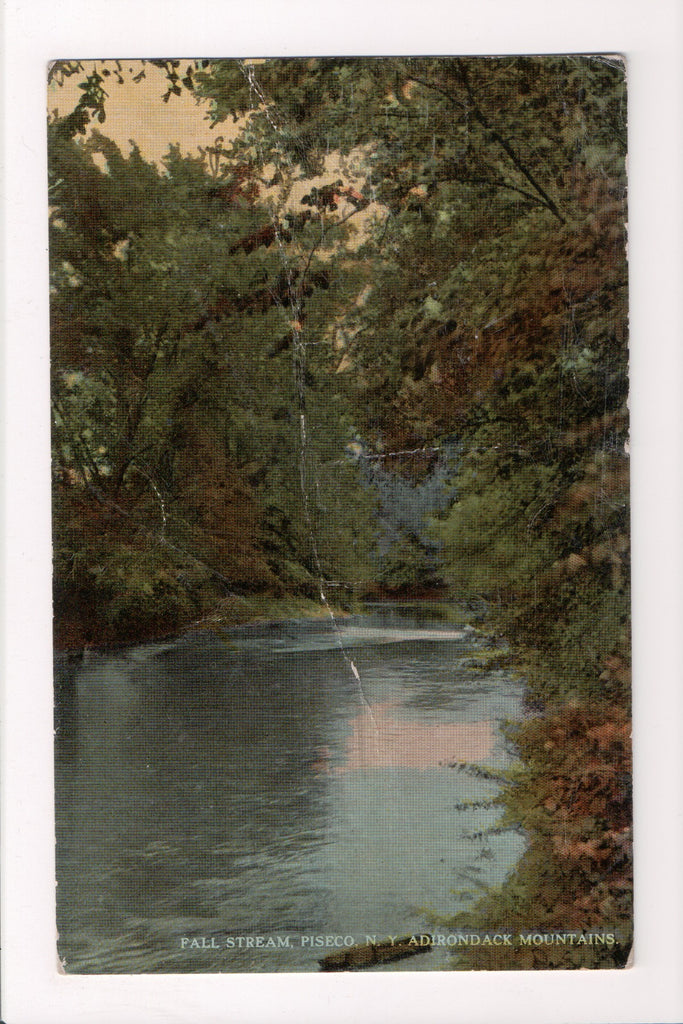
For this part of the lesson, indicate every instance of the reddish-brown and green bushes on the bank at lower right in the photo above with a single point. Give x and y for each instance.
(572, 796)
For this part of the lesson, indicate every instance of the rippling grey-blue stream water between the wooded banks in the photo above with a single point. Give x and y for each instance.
(215, 791)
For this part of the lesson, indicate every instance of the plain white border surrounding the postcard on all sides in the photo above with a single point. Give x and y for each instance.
(650, 33)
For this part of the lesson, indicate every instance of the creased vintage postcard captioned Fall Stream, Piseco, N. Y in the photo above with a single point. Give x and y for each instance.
(340, 507)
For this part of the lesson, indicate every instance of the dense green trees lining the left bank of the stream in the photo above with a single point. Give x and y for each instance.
(176, 403)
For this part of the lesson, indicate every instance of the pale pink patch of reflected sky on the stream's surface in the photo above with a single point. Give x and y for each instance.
(380, 741)
